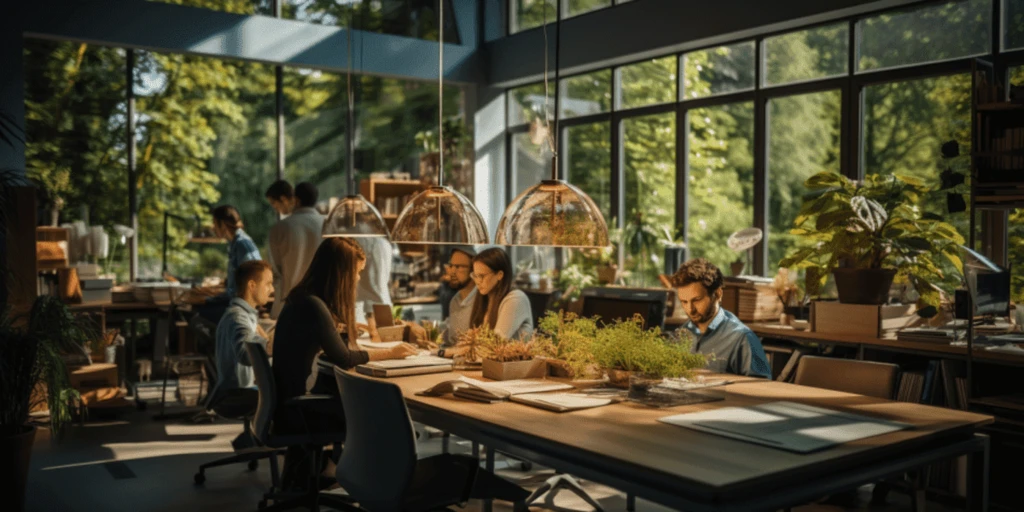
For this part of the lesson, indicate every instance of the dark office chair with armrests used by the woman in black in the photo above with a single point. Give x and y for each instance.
(313, 442)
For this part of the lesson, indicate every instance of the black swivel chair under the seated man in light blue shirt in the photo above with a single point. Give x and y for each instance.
(240, 405)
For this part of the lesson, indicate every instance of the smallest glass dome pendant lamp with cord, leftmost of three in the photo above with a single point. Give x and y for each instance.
(354, 216)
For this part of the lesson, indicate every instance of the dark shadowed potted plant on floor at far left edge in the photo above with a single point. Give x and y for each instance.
(32, 370)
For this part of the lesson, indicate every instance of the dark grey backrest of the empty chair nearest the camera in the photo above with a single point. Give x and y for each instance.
(377, 466)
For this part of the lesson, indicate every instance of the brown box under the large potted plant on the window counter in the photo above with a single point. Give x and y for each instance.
(862, 320)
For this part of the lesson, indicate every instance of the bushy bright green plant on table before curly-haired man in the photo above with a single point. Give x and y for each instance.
(624, 349)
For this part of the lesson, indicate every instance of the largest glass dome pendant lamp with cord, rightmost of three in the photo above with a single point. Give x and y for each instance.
(553, 212)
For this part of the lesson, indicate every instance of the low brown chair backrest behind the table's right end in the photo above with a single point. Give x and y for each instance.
(862, 377)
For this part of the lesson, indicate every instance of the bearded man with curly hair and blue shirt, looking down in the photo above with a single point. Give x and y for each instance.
(717, 332)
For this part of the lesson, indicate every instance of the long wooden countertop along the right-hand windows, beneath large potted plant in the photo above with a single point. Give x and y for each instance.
(936, 350)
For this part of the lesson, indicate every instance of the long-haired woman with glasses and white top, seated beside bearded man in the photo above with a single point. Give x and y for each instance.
(498, 306)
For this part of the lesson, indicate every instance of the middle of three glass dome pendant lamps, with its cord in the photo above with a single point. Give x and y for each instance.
(441, 215)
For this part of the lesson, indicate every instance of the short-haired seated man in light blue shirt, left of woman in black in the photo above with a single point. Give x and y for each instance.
(254, 282)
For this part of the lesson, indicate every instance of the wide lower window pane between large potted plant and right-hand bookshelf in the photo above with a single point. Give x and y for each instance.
(906, 124)
